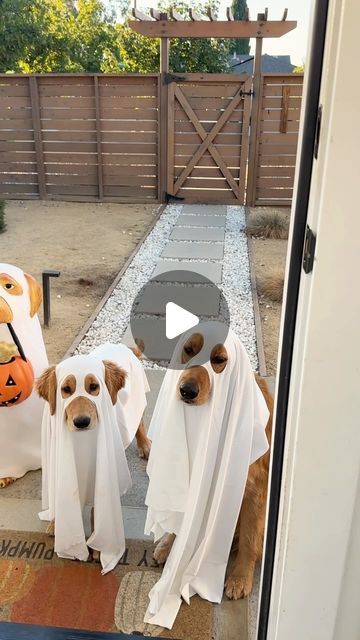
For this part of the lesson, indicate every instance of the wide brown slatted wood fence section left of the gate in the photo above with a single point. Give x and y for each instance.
(79, 137)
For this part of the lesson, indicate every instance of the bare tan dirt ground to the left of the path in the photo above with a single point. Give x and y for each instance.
(88, 243)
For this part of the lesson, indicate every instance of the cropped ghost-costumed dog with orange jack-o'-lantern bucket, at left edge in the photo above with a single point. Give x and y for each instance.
(20, 421)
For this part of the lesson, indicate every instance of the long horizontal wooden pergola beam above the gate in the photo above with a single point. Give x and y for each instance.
(213, 28)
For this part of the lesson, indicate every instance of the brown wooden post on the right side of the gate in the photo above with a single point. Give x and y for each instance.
(254, 128)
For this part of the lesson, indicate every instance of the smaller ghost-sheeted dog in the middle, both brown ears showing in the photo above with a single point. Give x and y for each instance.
(84, 464)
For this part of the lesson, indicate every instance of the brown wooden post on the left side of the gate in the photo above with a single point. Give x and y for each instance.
(163, 156)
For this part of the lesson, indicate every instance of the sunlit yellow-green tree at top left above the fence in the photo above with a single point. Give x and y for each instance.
(57, 35)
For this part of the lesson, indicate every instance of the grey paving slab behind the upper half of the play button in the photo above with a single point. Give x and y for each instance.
(199, 300)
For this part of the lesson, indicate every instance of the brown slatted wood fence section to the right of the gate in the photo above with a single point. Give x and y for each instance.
(276, 139)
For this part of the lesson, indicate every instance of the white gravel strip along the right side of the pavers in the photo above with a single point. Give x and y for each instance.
(236, 284)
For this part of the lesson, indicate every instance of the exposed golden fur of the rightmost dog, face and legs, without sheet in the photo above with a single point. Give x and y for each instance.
(194, 389)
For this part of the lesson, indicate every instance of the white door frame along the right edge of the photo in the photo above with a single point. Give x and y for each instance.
(314, 594)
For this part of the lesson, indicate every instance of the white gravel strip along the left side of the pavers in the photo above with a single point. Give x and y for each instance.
(114, 317)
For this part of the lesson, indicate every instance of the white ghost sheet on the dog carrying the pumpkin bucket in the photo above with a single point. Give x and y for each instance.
(20, 425)
